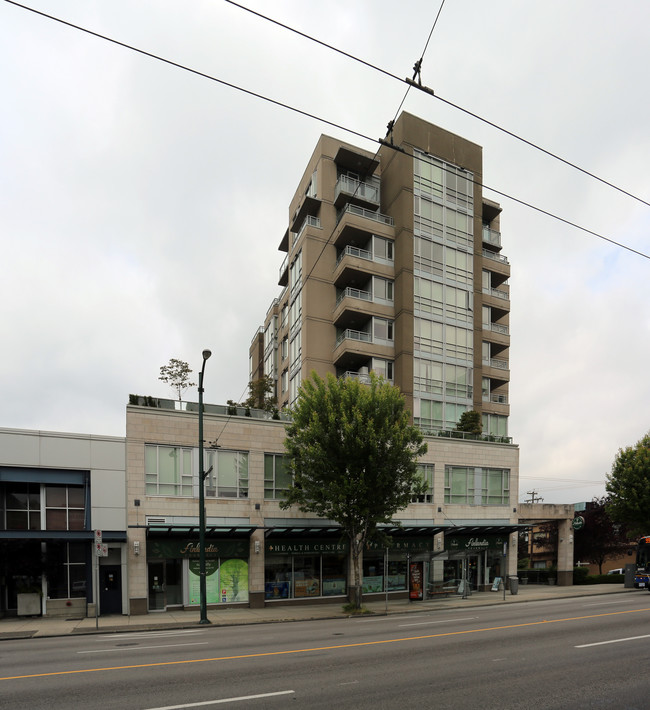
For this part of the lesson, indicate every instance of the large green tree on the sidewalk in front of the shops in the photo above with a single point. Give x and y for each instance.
(353, 456)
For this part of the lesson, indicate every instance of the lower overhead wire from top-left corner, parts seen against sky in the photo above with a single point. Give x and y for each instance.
(309, 115)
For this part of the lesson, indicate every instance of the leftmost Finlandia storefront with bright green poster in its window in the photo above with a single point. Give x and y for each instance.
(173, 571)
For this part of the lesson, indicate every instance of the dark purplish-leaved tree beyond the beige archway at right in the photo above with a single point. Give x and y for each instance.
(601, 538)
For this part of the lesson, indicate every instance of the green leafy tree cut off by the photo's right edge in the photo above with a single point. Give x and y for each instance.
(628, 486)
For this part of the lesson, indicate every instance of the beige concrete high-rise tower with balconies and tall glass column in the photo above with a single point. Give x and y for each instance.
(393, 264)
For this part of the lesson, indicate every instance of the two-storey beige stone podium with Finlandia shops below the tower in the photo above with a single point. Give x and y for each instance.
(257, 553)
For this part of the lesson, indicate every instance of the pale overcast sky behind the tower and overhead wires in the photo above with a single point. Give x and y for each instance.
(141, 206)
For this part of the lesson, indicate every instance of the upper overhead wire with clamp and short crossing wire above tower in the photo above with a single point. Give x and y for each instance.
(429, 91)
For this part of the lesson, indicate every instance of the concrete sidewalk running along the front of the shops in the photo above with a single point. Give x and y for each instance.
(30, 627)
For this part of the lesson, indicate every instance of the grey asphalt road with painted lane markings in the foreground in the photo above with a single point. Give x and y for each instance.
(591, 652)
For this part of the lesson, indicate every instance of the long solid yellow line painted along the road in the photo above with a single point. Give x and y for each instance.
(324, 648)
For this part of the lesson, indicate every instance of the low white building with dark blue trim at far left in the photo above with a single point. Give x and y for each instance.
(57, 490)
